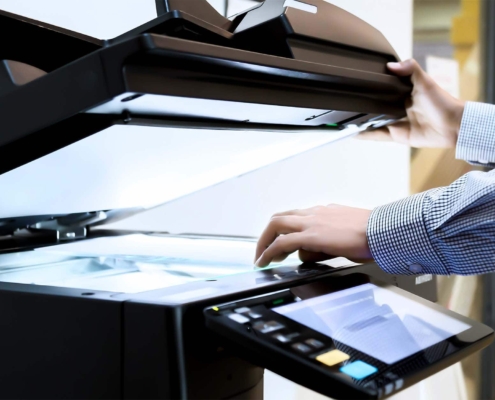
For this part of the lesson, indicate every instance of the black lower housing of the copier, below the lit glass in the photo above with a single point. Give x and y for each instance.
(73, 343)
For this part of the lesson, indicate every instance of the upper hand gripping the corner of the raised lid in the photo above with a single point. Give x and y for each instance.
(433, 115)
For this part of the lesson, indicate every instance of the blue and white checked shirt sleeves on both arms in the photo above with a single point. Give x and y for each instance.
(449, 230)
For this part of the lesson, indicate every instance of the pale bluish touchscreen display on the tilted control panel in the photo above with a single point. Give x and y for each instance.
(375, 321)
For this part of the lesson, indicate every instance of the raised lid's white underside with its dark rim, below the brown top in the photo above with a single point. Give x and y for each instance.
(150, 118)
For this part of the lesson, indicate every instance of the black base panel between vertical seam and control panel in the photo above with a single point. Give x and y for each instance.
(169, 353)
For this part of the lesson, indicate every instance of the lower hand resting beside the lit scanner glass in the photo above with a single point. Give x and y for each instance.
(318, 233)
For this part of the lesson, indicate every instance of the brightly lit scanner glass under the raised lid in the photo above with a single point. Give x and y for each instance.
(131, 263)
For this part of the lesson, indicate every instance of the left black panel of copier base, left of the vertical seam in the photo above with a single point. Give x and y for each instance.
(58, 346)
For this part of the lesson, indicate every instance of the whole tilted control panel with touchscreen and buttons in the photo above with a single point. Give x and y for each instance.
(359, 339)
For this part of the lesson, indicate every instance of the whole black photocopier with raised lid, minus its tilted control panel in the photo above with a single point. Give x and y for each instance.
(181, 103)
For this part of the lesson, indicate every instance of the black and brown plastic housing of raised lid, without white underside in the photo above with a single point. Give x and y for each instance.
(331, 63)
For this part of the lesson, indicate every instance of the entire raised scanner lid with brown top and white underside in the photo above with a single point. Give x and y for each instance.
(97, 130)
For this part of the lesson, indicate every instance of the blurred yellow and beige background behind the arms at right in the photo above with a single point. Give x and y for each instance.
(450, 40)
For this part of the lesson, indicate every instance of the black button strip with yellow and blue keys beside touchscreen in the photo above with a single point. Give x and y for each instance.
(256, 318)
